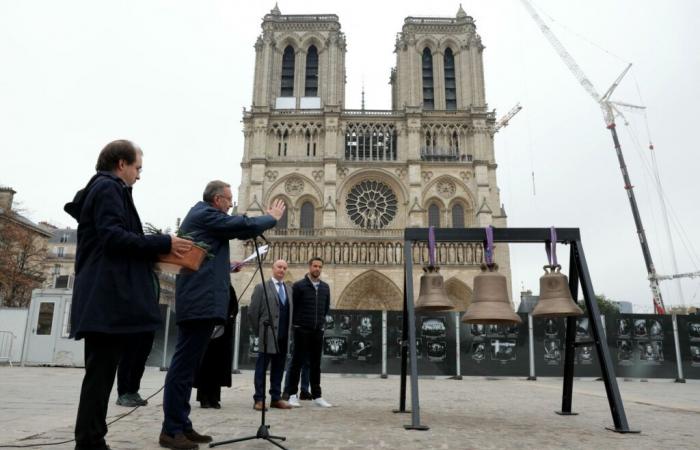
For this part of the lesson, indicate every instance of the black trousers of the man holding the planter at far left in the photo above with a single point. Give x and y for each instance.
(102, 354)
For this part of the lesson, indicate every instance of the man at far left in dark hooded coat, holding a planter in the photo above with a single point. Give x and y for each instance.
(115, 291)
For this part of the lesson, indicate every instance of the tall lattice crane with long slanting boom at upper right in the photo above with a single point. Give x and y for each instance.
(610, 111)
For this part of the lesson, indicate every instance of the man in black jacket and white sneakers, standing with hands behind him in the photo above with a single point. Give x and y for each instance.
(311, 298)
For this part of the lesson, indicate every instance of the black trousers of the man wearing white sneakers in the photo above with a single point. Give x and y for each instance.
(308, 343)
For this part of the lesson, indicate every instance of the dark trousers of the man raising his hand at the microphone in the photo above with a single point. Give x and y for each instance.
(192, 340)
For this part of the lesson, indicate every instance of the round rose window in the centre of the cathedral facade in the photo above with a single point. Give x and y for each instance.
(371, 204)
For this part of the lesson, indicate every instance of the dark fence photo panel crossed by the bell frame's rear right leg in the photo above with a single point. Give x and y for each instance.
(549, 335)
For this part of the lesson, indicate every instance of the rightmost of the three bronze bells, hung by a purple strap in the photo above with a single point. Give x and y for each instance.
(555, 295)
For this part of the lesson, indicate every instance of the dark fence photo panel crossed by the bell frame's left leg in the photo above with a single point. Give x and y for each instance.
(435, 343)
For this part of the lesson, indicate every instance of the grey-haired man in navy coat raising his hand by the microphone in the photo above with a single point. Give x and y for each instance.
(202, 300)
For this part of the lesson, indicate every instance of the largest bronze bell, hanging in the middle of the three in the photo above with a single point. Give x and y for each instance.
(490, 303)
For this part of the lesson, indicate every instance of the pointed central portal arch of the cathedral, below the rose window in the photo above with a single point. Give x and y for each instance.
(371, 290)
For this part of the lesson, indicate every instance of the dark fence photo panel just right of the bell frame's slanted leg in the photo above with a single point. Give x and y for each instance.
(641, 345)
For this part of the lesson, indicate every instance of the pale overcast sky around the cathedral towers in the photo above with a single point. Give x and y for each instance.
(173, 76)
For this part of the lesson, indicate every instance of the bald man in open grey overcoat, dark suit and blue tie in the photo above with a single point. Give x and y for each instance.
(280, 321)
